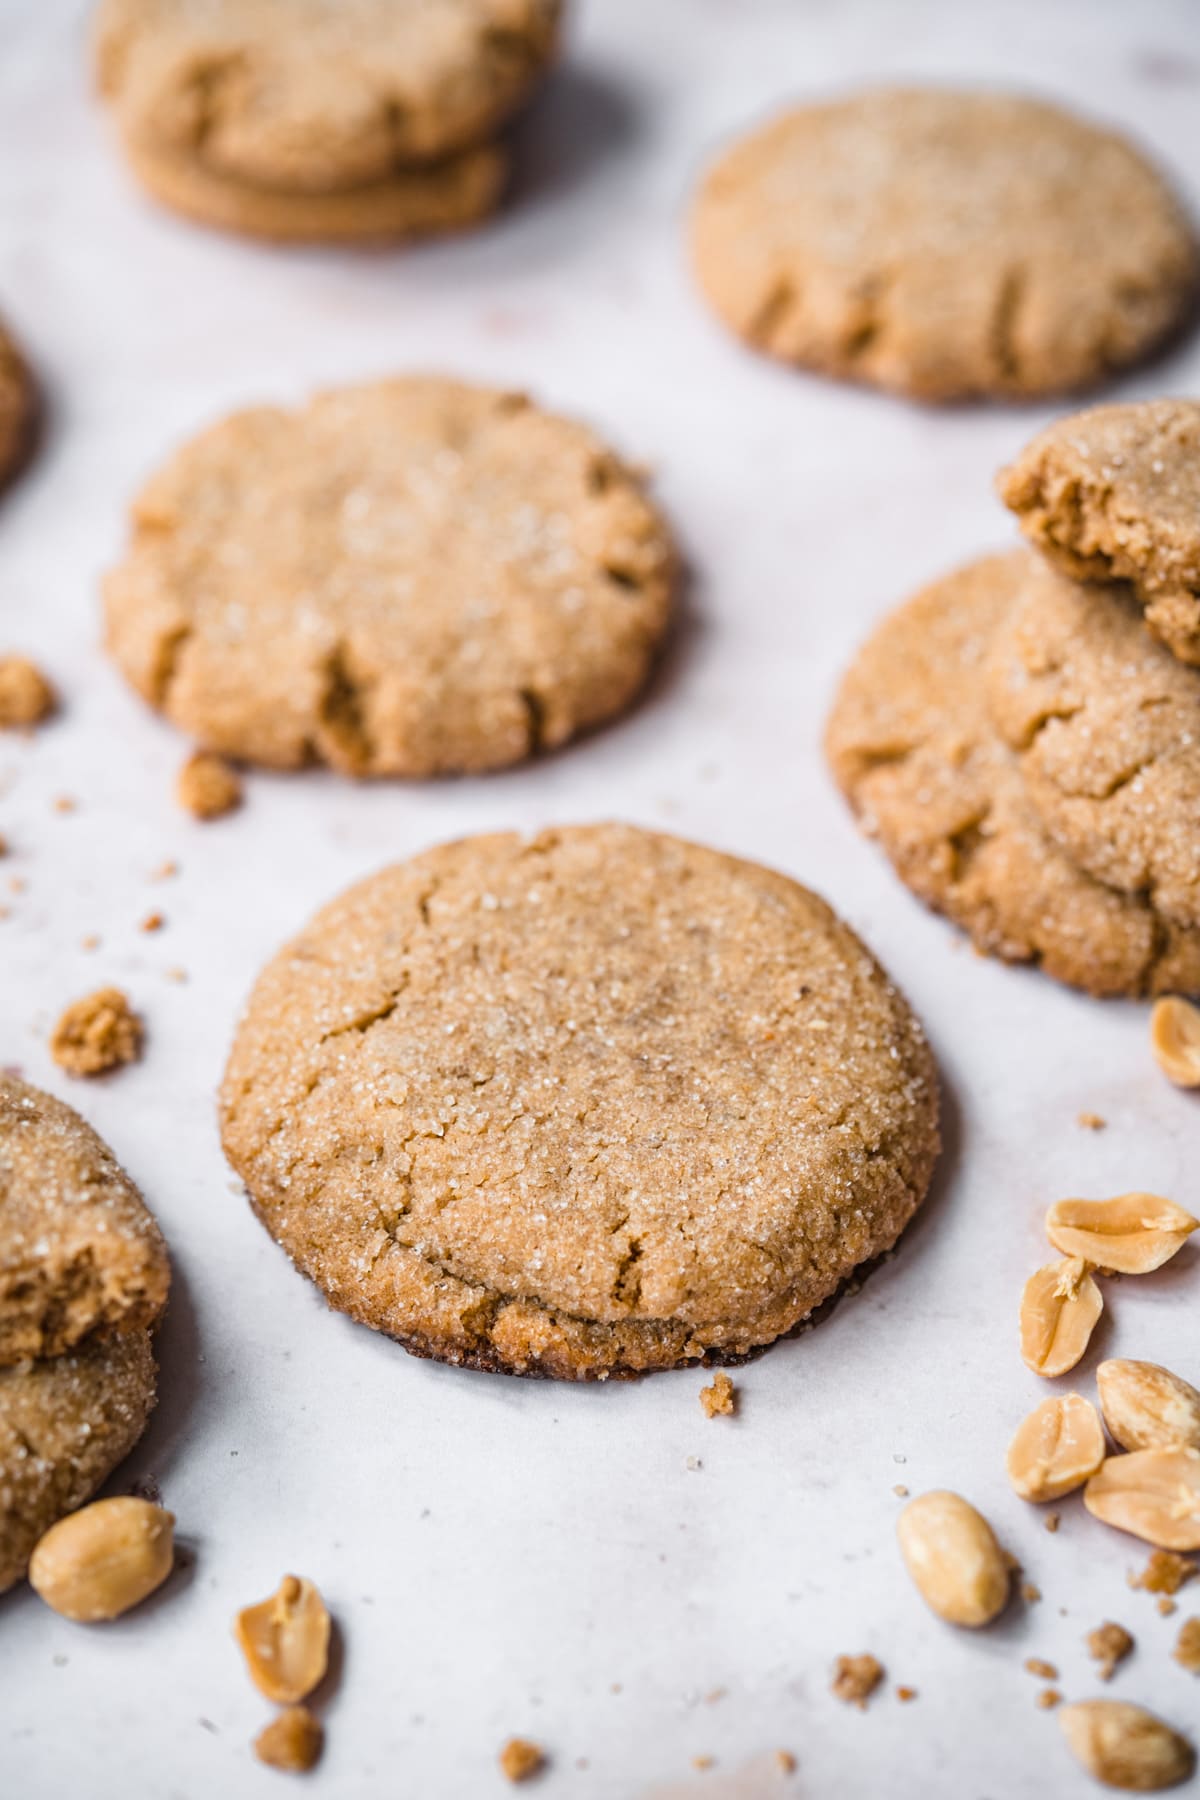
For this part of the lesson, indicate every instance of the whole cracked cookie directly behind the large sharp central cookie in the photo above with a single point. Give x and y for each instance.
(415, 577)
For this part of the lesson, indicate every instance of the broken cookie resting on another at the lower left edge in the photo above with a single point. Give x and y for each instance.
(80, 1252)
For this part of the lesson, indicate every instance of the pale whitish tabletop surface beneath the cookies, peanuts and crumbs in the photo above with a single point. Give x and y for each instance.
(503, 1552)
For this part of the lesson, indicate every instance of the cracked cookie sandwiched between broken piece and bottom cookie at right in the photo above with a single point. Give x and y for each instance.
(1106, 724)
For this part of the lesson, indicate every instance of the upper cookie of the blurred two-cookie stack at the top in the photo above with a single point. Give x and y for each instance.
(316, 96)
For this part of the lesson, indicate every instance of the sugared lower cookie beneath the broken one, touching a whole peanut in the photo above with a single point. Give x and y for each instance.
(66, 1423)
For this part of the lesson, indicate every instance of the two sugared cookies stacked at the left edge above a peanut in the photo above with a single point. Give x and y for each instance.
(84, 1281)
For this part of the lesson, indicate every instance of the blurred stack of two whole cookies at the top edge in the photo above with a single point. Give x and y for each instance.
(323, 120)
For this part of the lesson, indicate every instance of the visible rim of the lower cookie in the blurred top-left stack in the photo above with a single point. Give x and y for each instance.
(427, 202)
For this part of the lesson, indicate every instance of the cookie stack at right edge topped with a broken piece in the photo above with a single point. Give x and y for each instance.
(1025, 737)
